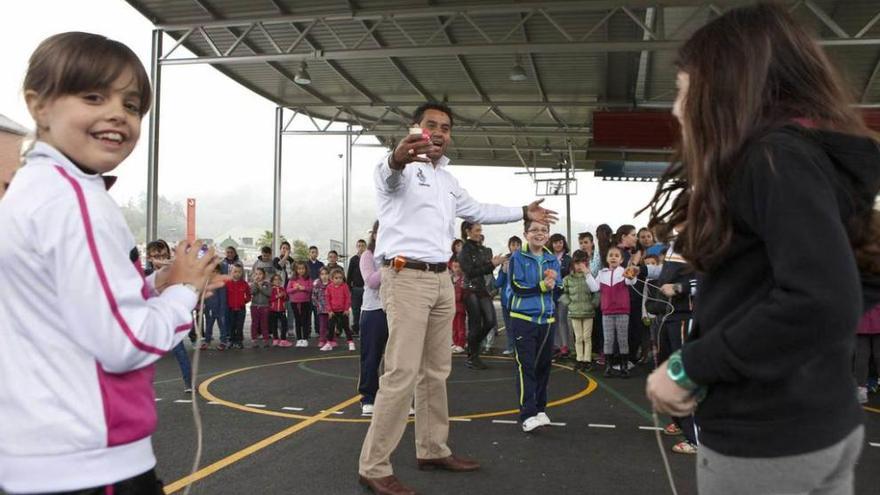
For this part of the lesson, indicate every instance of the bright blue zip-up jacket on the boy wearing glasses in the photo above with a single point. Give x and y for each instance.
(531, 300)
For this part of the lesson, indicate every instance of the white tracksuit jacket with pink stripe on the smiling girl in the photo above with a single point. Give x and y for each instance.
(80, 329)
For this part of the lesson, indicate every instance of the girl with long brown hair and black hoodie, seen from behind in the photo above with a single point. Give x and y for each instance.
(772, 199)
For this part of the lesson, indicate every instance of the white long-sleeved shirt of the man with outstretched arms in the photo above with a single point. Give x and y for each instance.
(417, 209)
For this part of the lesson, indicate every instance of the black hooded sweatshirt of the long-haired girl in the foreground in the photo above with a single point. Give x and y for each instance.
(776, 317)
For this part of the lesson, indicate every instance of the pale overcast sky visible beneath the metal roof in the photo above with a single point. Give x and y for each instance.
(217, 145)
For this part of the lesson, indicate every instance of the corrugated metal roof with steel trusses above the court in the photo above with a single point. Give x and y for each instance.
(378, 59)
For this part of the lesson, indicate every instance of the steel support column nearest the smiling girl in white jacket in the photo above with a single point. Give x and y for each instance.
(153, 141)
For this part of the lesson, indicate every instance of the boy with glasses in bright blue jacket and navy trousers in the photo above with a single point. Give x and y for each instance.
(533, 275)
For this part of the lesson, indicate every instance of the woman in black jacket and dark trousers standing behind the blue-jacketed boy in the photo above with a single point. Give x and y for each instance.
(476, 262)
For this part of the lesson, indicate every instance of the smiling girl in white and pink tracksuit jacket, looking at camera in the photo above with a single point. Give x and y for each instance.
(83, 326)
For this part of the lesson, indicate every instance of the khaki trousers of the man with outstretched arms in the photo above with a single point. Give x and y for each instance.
(420, 306)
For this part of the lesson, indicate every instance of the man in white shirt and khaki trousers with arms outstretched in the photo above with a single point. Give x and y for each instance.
(418, 201)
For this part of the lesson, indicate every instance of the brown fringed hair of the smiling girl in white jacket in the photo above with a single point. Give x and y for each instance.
(75, 62)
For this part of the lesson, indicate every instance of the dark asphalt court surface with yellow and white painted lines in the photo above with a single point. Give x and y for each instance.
(601, 443)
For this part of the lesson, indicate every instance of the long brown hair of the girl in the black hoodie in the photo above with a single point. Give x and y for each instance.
(751, 70)
